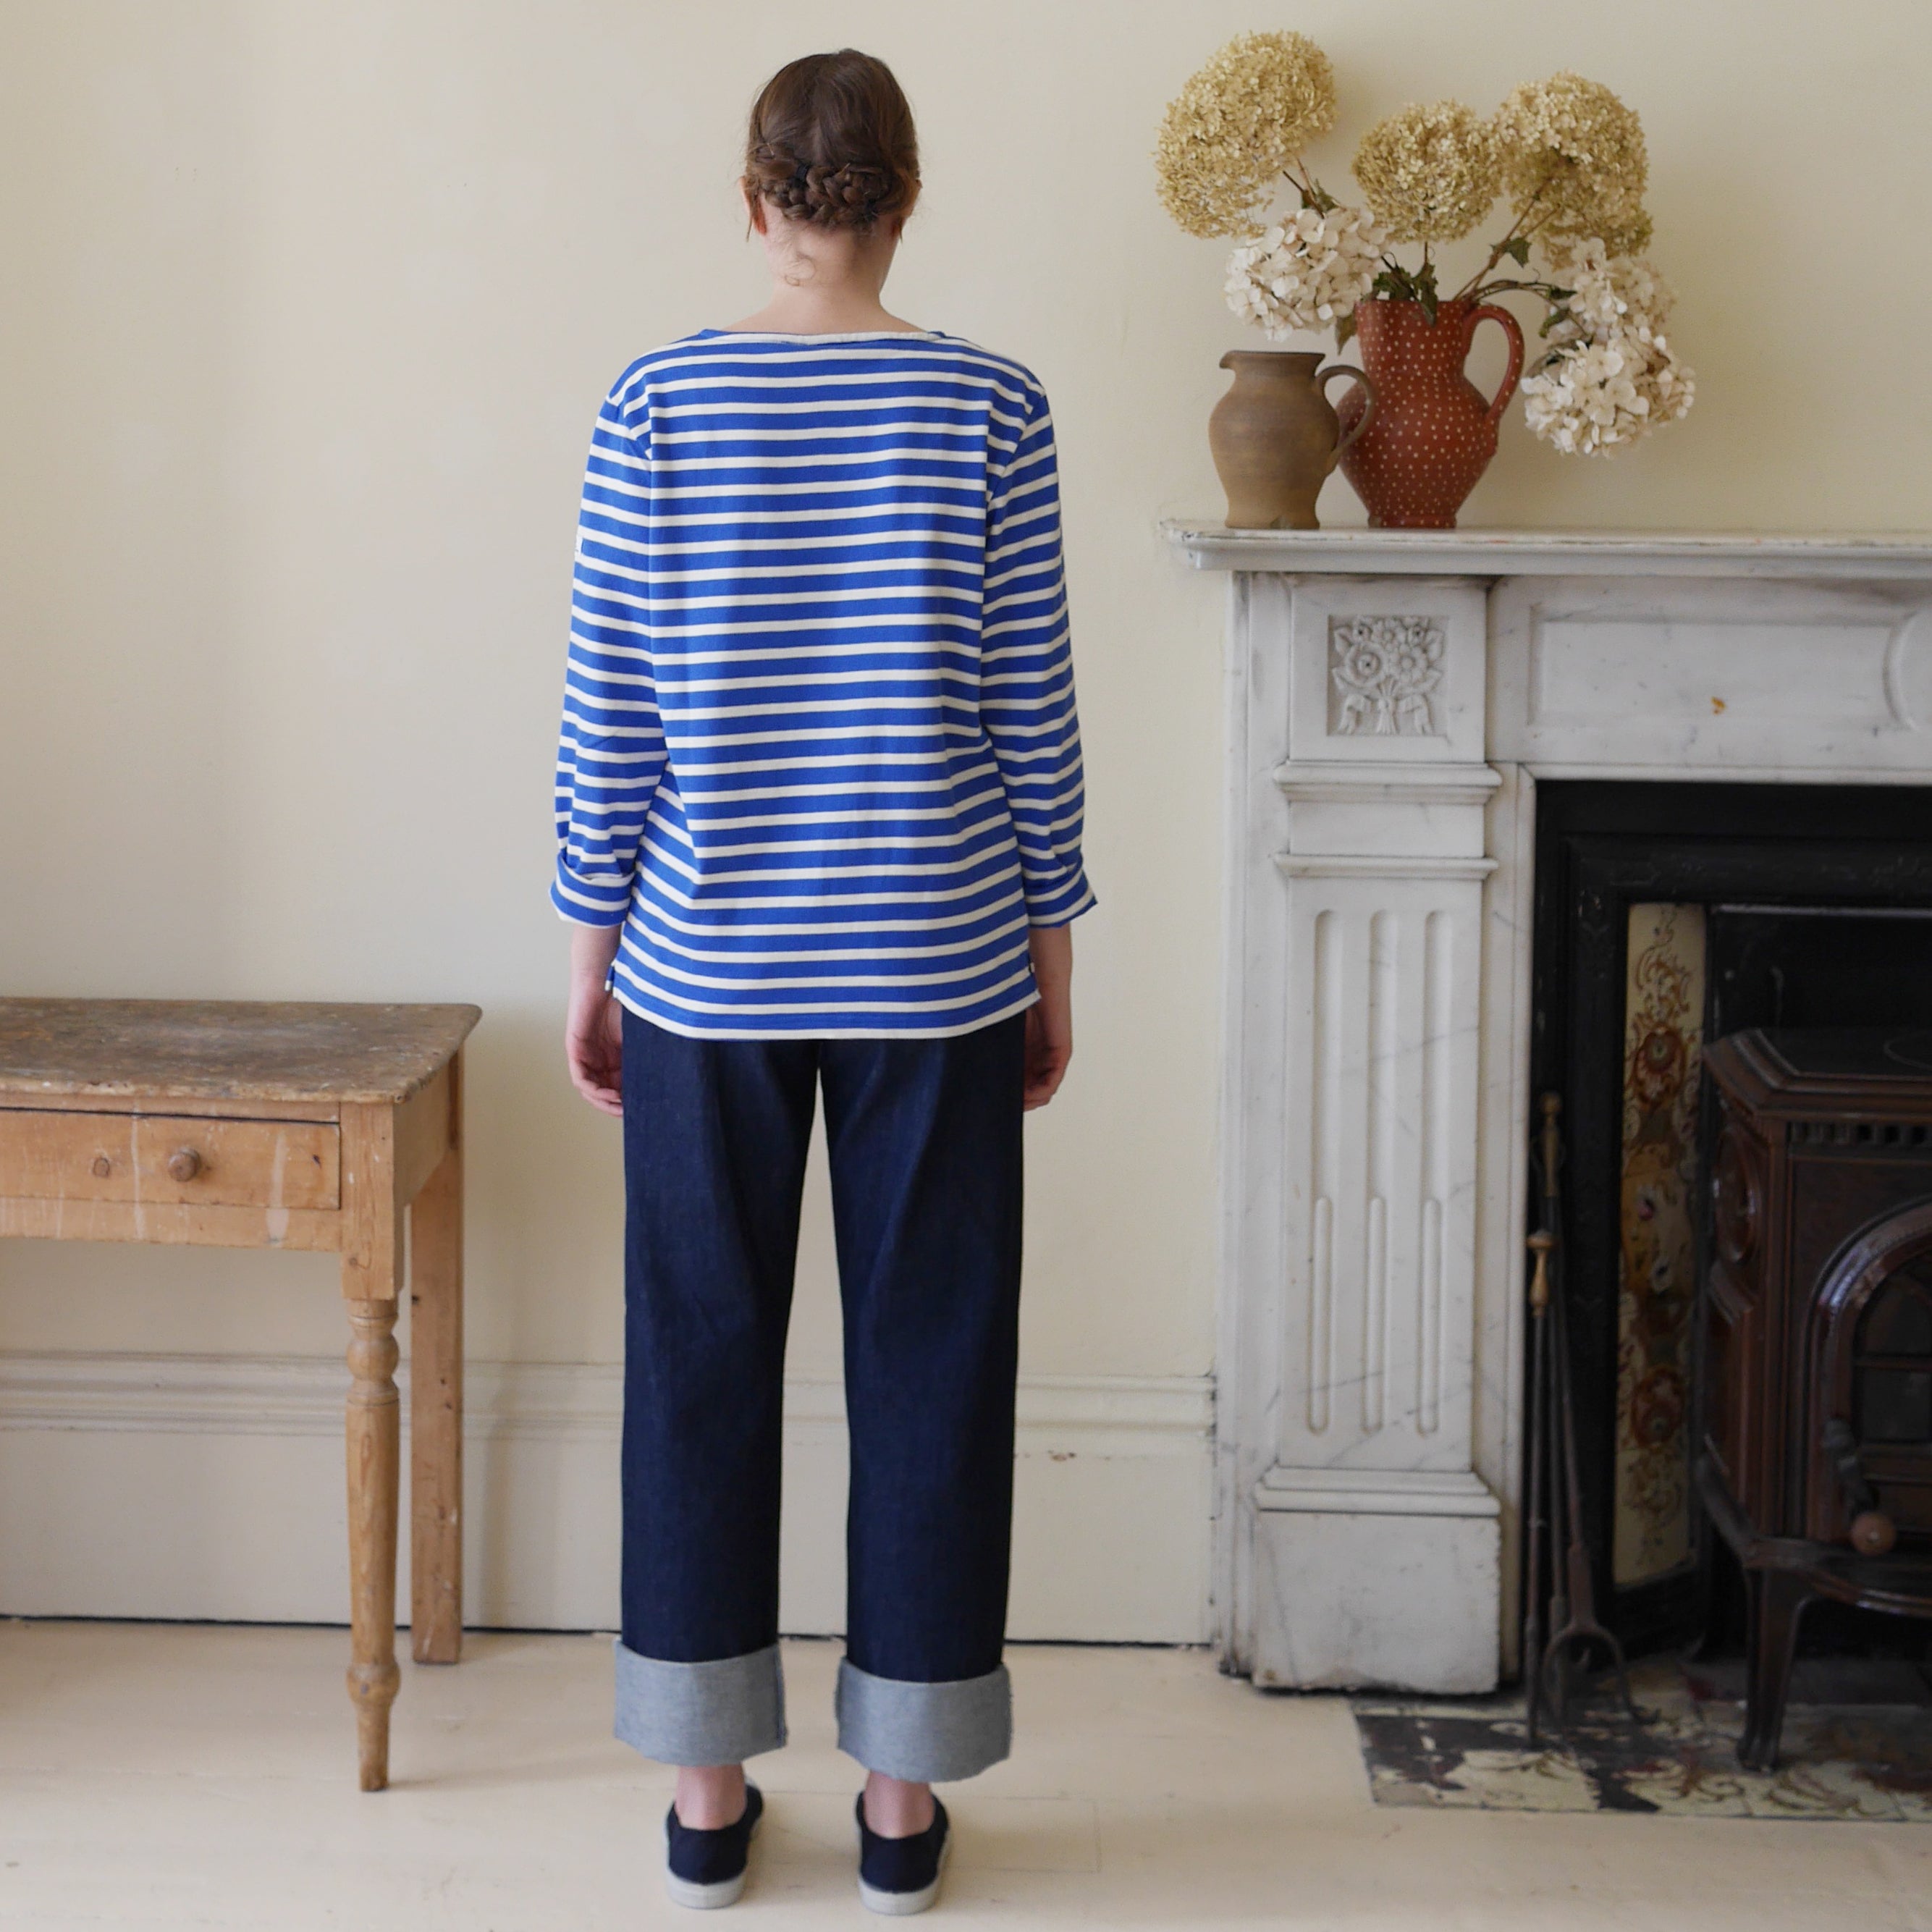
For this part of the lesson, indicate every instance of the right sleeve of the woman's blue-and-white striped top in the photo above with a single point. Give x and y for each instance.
(1027, 683)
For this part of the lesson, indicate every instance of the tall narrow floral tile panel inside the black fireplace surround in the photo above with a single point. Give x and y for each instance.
(1662, 1044)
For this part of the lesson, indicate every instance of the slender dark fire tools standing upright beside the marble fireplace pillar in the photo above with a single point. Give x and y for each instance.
(1556, 1492)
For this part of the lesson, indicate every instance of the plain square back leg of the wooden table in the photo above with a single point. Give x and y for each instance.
(438, 1415)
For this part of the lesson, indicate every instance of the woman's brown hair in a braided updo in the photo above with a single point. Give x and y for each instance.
(832, 142)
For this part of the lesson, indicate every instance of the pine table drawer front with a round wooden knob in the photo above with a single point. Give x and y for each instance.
(169, 1158)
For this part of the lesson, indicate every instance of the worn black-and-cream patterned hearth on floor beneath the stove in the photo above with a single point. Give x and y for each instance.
(1842, 1759)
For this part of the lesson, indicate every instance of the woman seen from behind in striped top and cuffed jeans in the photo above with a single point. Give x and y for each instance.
(820, 812)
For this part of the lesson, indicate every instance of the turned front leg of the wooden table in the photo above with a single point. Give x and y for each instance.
(374, 1454)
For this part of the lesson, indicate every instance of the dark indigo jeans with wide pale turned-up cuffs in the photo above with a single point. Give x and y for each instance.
(926, 1160)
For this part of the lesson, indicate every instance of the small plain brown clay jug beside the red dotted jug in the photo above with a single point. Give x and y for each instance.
(1276, 440)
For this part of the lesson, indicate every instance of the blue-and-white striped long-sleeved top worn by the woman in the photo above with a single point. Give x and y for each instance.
(820, 754)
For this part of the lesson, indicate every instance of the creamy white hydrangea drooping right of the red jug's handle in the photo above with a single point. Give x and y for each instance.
(1610, 376)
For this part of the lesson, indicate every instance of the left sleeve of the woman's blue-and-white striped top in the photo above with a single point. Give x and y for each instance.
(611, 749)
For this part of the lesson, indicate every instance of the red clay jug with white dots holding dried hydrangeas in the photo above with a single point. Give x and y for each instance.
(1435, 432)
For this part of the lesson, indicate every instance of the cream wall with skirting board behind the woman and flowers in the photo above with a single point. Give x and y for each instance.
(306, 316)
